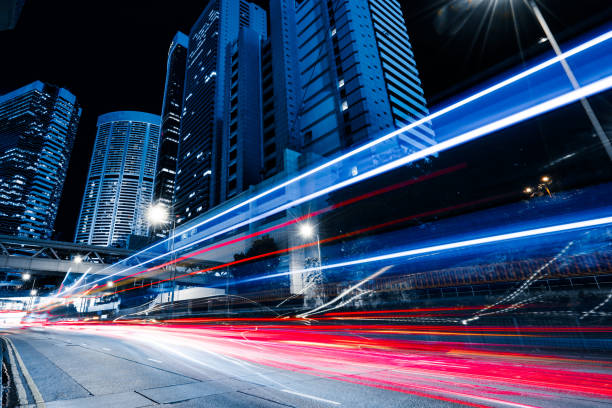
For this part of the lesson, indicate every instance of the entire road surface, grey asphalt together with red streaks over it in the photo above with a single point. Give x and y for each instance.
(190, 366)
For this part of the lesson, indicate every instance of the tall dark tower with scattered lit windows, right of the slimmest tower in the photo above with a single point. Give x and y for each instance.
(203, 113)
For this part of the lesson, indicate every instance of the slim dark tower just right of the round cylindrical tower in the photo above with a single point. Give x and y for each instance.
(171, 121)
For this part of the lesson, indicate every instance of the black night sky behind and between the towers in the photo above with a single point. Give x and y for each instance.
(112, 54)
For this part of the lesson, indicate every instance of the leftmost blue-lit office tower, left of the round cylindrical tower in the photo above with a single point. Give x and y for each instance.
(38, 124)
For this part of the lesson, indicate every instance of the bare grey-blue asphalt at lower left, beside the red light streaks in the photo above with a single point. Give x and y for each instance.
(85, 370)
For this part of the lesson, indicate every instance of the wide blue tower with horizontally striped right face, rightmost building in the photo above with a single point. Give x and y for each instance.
(358, 75)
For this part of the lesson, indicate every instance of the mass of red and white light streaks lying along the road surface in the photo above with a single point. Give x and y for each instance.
(471, 374)
